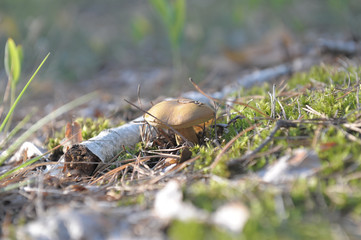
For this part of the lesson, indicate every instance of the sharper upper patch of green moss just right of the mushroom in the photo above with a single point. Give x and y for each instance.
(326, 93)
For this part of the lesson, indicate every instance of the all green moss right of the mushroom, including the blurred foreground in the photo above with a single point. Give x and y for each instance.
(308, 208)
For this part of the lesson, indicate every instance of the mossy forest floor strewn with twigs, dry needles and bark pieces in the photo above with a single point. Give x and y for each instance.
(281, 161)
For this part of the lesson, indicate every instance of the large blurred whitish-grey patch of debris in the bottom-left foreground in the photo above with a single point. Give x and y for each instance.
(92, 223)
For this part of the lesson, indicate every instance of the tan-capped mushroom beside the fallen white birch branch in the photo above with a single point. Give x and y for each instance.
(180, 115)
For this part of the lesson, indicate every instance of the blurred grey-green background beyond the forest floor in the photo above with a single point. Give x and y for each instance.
(115, 45)
